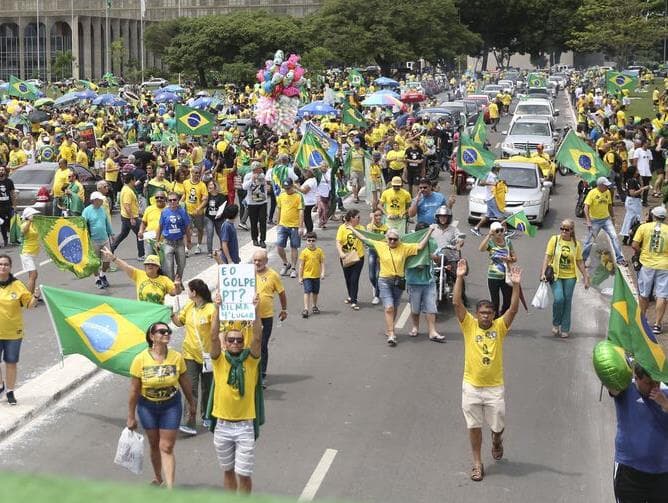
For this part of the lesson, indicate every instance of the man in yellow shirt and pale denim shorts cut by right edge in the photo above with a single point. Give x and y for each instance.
(651, 241)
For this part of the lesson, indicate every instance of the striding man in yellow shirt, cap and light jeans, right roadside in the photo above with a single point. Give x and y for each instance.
(600, 217)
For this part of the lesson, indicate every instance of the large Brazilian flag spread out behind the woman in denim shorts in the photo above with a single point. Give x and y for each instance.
(109, 331)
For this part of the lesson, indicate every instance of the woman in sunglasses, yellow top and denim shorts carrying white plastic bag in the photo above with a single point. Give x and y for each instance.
(157, 373)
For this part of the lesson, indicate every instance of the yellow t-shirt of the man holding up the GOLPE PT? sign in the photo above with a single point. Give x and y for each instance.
(228, 403)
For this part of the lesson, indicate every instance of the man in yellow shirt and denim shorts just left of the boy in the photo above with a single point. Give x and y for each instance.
(290, 219)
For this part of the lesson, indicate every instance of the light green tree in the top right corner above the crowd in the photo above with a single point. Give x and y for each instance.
(620, 29)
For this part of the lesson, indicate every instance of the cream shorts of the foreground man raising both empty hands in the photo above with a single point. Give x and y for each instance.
(484, 404)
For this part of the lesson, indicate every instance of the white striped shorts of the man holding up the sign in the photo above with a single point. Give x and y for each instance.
(235, 446)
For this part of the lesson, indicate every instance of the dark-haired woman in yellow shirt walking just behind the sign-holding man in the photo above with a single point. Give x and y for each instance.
(197, 316)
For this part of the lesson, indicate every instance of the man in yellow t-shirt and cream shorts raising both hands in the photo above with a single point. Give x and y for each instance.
(483, 393)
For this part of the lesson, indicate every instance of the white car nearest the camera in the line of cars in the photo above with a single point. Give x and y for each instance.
(526, 191)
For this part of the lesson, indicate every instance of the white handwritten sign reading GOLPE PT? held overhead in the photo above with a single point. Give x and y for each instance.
(237, 291)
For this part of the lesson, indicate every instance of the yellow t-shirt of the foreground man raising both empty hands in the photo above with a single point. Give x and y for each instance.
(483, 352)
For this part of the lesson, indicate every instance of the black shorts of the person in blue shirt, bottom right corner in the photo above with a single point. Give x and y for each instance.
(633, 486)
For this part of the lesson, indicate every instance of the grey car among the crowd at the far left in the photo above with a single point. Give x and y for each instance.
(34, 182)
